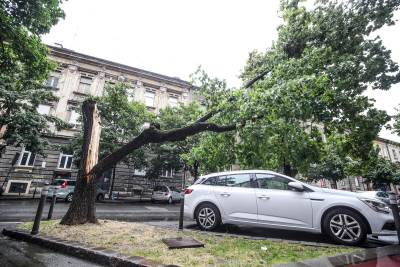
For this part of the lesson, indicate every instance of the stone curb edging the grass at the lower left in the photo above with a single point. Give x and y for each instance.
(97, 255)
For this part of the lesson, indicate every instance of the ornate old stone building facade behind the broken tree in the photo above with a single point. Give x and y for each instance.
(76, 77)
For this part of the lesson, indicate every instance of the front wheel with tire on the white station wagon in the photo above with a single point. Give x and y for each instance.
(345, 227)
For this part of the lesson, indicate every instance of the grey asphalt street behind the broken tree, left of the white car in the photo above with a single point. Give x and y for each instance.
(25, 210)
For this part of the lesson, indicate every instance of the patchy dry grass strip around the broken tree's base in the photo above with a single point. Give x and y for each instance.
(136, 239)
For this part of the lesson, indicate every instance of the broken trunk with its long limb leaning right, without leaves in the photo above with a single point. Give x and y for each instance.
(82, 208)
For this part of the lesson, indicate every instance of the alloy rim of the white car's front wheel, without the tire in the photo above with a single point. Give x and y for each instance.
(345, 227)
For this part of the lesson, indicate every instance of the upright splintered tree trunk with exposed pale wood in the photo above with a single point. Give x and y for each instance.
(82, 208)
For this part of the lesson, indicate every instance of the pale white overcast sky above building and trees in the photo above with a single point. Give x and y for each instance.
(174, 37)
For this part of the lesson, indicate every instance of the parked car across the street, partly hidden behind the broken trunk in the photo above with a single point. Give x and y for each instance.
(65, 190)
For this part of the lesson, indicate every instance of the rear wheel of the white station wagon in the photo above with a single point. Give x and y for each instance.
(207, 217)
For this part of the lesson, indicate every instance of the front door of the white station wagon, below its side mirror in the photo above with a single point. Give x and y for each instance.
(280, 205)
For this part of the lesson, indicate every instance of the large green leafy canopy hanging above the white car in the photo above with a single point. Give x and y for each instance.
(318, 69)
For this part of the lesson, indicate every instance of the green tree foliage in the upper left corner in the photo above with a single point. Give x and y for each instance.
(23, 69)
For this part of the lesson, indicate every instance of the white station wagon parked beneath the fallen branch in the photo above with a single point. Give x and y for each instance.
(268, 199)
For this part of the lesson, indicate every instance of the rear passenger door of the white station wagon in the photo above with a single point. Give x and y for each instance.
(236, 196)
